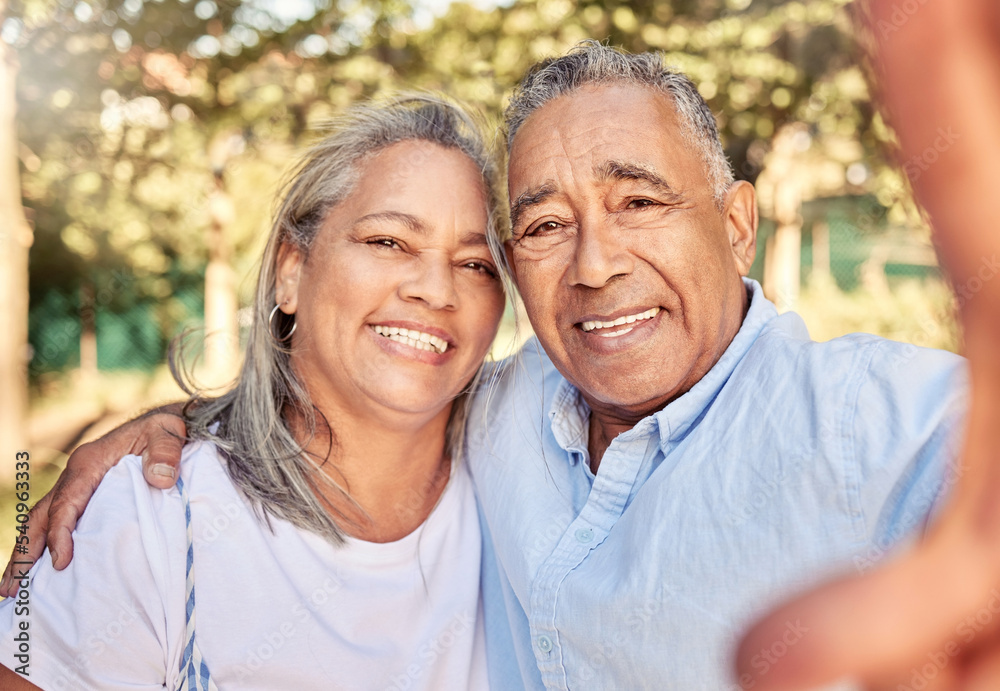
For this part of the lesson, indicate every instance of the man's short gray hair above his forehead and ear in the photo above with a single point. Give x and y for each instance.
(591, 62)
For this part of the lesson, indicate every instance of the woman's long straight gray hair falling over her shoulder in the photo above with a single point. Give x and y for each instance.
(254, 433)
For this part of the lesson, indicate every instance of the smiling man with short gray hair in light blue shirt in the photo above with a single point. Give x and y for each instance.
(670, 455)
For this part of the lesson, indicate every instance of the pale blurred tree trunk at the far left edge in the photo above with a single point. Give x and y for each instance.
(15, 239)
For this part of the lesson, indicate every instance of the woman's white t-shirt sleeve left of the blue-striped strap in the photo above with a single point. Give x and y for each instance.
(114, 618)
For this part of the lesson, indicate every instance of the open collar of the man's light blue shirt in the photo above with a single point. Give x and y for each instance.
(570, 414)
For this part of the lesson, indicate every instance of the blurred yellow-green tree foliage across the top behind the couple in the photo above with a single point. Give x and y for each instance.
(132, 113)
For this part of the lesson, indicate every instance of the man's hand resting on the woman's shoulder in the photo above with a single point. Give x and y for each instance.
(157, 436)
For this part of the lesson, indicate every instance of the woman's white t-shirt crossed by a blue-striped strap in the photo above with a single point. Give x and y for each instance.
(274, 610)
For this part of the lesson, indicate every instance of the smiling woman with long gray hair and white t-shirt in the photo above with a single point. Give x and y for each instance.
(330, 536)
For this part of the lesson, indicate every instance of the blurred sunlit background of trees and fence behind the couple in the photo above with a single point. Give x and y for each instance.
(143, 142)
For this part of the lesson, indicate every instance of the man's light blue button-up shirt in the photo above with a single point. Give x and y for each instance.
(788, 462)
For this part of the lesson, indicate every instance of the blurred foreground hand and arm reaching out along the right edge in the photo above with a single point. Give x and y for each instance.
(934, 614)
